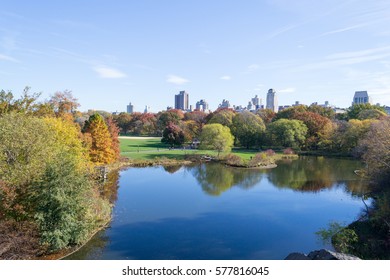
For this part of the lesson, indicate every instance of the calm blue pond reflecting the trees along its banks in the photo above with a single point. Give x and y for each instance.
(210, 211)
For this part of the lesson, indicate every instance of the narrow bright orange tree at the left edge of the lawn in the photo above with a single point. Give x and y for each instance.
(100, 151)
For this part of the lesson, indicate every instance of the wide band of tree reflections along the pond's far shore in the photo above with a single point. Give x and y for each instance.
(308, 174)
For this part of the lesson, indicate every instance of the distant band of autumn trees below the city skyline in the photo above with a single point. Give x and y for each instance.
(299, 127)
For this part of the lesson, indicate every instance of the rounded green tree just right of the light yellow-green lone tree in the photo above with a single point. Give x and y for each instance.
(248, 129)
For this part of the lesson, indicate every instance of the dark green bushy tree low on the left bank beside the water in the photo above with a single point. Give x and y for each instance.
(60, 202)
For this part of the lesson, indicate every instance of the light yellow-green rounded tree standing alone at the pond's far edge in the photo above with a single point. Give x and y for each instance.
(216, 137)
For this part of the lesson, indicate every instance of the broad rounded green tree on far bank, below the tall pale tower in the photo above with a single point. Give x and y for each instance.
(287, 133)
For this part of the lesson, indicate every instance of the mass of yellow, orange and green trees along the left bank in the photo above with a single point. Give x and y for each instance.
(49, 193)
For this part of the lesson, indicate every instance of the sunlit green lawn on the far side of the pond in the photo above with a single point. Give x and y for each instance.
(151, 147)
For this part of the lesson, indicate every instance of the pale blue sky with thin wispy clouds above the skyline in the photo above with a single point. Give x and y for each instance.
(110, 53)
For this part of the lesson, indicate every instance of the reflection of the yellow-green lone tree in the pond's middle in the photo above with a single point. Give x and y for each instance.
(216, 178)
